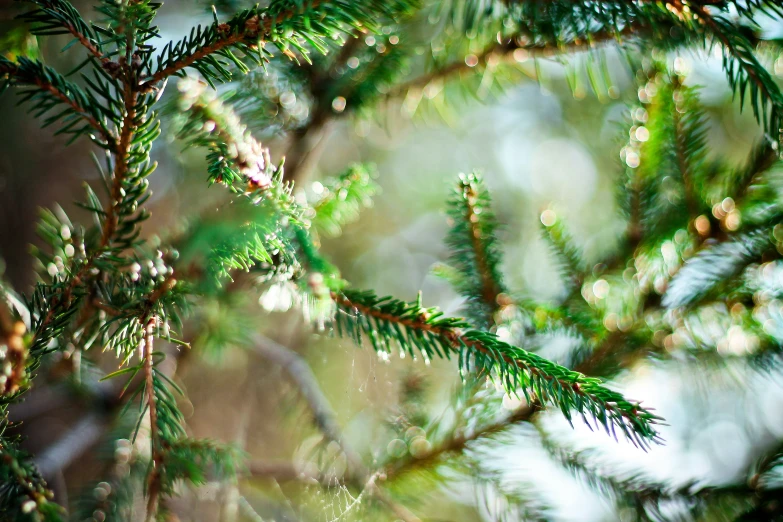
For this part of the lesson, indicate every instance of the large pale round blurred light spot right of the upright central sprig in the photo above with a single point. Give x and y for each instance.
(563, 171)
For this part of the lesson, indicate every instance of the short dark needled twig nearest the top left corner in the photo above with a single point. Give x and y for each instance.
(52, 17)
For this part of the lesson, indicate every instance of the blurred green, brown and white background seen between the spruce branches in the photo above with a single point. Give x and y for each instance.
(548, 136)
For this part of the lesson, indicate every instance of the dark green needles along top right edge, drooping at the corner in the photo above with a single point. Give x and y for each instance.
(667, 25)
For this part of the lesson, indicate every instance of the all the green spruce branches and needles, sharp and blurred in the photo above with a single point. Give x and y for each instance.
(696, 228)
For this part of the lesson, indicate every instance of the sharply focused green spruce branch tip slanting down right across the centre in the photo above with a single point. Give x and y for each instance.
(387, 321)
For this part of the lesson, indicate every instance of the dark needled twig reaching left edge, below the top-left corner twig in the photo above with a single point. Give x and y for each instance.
(49, 90)
